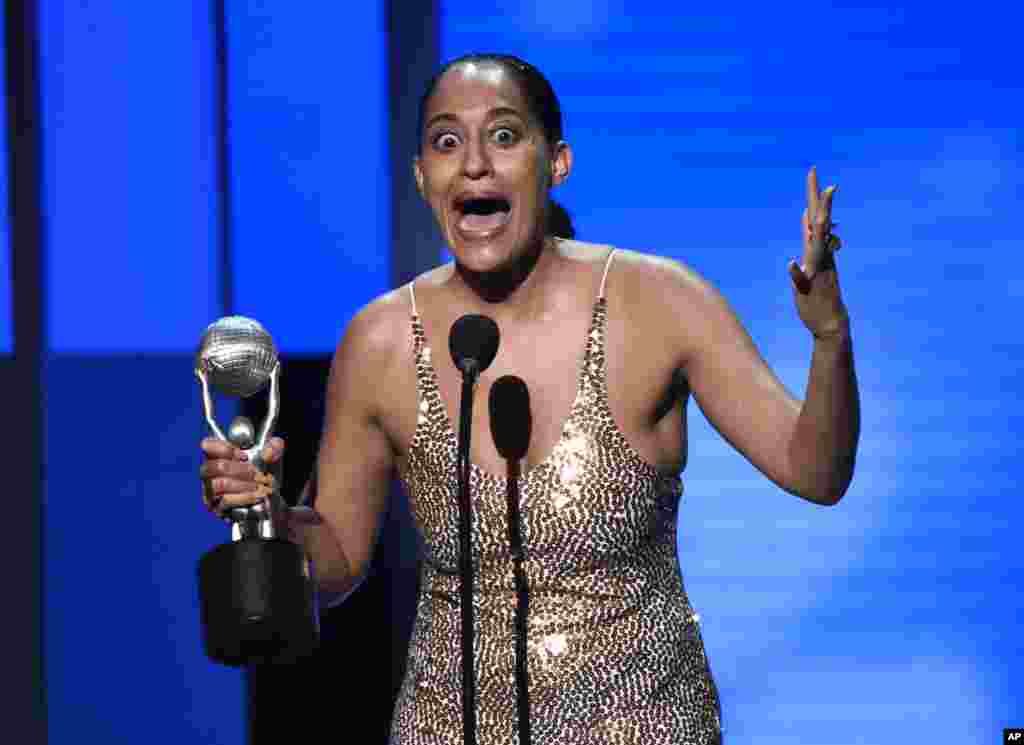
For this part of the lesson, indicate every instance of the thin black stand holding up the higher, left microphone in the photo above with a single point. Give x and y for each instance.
(471, 372)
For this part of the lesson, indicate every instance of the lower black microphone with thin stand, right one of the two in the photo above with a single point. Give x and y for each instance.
(510, 426)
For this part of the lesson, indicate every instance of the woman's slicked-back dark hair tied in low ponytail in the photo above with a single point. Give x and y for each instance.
(543, 105)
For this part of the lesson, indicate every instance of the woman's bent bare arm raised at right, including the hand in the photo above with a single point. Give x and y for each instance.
(806, 448)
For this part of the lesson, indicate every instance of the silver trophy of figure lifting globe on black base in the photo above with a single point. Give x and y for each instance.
(257, 593)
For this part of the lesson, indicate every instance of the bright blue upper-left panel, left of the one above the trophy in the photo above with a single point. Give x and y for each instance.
(130, 176)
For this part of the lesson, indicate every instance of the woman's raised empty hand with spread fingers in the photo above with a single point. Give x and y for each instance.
(815, 281)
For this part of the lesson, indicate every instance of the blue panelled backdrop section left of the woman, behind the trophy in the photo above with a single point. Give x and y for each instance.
(136, 274)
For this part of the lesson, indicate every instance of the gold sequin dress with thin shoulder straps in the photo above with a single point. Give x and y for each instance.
(616, 655)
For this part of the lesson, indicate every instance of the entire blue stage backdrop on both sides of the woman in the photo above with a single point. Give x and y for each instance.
(892, 618)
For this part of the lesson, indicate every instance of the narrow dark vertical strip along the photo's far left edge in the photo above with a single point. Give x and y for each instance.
(21, 551)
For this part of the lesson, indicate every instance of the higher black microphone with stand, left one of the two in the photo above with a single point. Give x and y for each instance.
(474, 343)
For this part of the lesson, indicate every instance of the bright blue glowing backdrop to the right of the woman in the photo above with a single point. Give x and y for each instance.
(894, 617)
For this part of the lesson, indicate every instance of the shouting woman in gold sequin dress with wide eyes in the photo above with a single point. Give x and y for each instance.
(612, 344)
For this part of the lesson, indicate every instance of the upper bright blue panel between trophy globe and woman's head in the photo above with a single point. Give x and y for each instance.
(311, 193)
